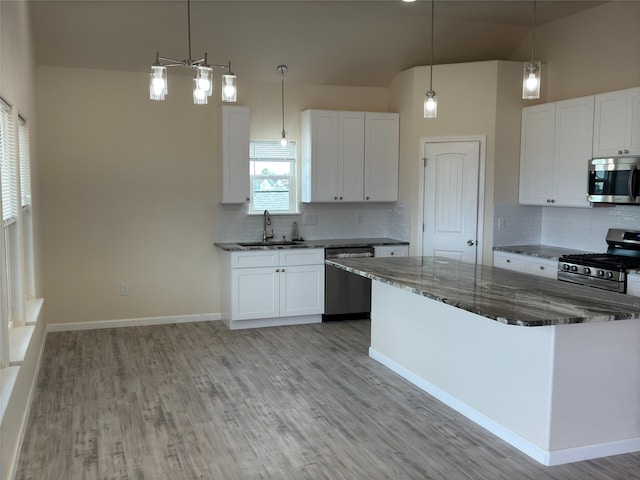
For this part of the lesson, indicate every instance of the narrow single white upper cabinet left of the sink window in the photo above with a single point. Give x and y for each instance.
(234, 159)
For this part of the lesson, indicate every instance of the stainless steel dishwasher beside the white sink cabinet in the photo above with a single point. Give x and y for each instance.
(347, 296)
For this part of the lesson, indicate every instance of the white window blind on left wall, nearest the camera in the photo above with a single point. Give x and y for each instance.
(8, 165)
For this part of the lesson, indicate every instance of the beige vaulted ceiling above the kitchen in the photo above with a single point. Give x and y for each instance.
(339, 42)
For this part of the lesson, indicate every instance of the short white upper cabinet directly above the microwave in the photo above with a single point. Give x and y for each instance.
(616, 130)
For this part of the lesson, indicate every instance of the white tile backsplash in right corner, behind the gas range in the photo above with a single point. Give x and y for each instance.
(580, 228)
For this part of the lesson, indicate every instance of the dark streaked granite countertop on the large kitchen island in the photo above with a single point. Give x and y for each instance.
(503, 295)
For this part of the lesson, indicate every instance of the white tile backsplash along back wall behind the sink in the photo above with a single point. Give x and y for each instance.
(318, 222)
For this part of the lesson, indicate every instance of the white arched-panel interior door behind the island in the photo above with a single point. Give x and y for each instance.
(450, 207)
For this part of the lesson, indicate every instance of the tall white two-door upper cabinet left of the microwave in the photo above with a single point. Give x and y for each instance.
(555, 151)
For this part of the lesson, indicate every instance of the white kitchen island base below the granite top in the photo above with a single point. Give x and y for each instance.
(559, 393)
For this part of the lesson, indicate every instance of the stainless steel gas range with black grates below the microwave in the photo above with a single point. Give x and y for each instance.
(604, 270)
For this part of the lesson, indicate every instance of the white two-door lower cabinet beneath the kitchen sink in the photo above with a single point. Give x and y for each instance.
(274, 287)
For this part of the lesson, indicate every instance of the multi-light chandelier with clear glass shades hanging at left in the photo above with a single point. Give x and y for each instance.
(203, 81)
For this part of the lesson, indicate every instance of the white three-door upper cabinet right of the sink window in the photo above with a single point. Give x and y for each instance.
(349, 156)
